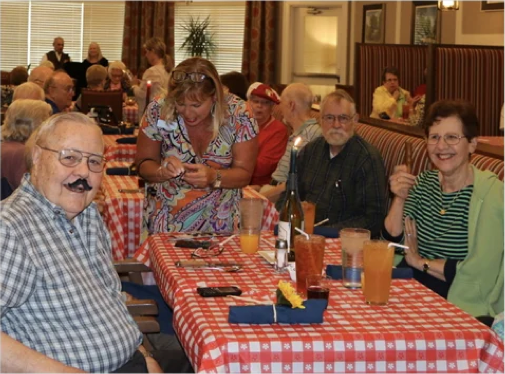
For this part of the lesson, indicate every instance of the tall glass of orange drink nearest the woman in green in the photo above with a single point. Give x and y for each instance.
(378, 268)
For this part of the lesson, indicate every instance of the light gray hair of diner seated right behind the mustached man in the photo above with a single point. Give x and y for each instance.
(23, 117)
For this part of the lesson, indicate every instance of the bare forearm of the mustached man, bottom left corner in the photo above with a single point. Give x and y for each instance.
(18, 358)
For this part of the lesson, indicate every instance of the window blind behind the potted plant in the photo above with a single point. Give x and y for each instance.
(226, 23)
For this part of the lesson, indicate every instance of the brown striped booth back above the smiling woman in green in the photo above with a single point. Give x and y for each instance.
(474, 74)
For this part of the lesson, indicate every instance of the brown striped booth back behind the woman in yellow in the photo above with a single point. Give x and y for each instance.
(371, 61)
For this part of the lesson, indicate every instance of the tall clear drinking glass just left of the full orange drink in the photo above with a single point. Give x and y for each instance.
(352, 255)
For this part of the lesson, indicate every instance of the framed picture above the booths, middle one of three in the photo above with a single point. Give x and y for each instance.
(425, 23)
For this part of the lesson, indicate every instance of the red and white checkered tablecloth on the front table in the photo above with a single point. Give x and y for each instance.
(418, 331)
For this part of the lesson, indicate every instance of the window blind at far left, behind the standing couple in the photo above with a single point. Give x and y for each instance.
(29, 27)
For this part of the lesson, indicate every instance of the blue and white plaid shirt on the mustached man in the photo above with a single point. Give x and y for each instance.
(60, 294)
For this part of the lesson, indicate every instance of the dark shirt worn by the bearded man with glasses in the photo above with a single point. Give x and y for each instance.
(349, 189)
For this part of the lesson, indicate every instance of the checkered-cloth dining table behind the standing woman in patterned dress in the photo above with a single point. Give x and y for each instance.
(121, 203)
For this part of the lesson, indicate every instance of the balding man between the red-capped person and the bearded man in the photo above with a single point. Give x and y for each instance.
(296, 104)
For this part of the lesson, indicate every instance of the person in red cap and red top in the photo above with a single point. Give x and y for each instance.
(273, 135)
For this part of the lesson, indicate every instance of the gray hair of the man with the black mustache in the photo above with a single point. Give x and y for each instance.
(48, 127)
